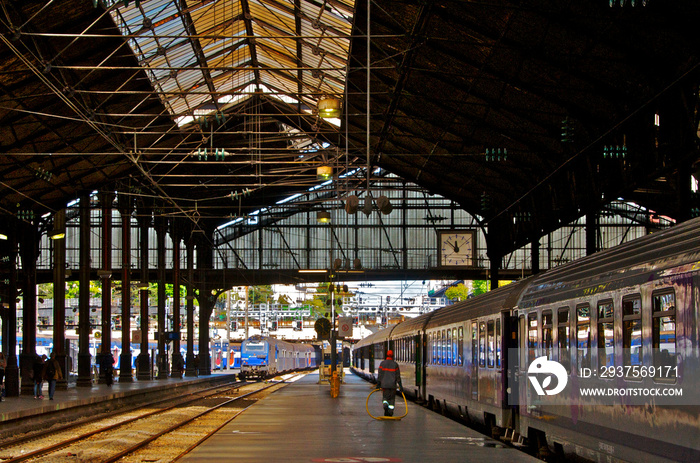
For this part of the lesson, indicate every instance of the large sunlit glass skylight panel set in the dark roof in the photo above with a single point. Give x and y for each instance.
(202, 52)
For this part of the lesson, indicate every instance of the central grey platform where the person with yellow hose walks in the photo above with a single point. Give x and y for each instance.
(302, 423)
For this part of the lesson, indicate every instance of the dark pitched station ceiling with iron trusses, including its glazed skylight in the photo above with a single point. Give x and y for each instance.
(526, 114)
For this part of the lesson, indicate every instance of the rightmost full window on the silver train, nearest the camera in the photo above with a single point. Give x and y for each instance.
(663, 334)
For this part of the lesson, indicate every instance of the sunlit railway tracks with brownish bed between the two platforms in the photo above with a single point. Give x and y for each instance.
(150, 433)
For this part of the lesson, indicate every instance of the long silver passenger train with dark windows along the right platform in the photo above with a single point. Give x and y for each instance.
(617, 330)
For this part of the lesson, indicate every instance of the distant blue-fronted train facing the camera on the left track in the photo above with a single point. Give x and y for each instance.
(264, 357)
